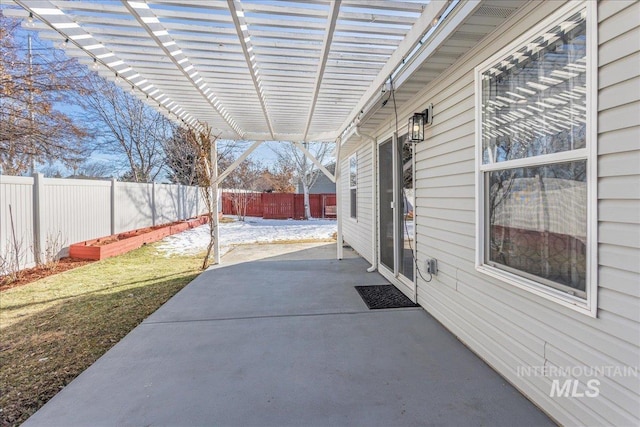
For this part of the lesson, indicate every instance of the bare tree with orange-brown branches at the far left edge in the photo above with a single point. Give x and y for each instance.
(33, 82)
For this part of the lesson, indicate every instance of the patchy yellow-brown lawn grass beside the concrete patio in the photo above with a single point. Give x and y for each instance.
(53, 329)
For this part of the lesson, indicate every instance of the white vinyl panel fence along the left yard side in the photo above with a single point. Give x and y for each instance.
(38, 213)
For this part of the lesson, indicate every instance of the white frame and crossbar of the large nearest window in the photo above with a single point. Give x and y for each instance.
(589, 305)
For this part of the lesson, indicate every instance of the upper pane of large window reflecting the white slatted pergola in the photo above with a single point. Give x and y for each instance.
(534, 101)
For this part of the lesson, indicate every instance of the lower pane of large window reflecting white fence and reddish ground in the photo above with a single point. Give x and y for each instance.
(538, 223)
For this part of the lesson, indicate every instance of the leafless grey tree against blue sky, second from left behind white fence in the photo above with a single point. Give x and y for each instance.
(128, 128)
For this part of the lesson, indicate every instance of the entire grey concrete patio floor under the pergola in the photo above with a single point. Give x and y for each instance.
(286, 341)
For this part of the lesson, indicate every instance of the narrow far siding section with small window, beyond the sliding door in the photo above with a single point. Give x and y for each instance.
(357, 233)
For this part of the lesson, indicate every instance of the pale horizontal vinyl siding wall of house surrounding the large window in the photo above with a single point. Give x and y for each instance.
(511, 328)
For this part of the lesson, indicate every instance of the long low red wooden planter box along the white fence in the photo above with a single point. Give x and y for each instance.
(127, 241)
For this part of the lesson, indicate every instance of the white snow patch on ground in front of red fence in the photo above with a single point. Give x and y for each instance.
(252, 230)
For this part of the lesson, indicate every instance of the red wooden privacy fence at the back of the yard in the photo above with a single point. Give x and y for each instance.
(282, 205)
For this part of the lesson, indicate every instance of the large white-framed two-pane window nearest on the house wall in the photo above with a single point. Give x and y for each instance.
(535, 161)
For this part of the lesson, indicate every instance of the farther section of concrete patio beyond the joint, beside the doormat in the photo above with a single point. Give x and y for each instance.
(305, 282)
